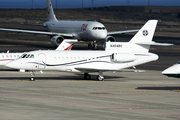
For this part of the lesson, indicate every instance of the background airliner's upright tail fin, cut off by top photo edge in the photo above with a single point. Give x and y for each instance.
(50, 11)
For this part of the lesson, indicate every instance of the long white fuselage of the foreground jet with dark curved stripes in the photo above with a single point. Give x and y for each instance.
(72, 60)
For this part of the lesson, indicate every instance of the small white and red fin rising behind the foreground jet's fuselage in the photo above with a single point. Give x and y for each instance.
(67, 44)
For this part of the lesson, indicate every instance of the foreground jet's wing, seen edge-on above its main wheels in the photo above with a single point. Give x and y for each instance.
(105, 70)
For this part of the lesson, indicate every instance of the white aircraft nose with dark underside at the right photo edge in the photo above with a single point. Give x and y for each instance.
(173, 71)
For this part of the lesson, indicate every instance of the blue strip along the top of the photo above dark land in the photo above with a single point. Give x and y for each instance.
(86, 3)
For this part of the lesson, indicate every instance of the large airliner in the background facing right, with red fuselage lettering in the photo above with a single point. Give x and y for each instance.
(80, 30)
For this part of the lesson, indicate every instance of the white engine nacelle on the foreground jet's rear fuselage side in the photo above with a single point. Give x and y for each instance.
(123, 58)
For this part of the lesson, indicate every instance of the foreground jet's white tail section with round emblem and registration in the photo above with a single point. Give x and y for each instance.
(140, 42)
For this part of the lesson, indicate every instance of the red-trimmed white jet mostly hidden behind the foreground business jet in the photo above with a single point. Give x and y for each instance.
(7, 57)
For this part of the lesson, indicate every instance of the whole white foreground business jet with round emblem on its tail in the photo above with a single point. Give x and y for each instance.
(116, 57)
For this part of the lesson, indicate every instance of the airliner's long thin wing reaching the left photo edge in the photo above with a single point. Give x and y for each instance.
(36, 32)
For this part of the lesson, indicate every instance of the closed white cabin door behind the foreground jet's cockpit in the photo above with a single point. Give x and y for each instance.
(42, 61)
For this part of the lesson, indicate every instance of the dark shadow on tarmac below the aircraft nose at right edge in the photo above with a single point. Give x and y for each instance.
(160, 88)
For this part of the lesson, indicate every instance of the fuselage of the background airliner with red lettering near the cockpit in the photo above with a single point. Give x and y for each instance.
(81, 30)
